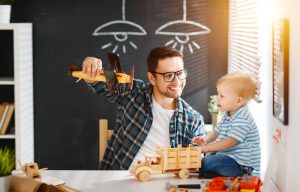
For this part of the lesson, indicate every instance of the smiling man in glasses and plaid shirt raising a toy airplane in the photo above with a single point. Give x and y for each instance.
(149, 115)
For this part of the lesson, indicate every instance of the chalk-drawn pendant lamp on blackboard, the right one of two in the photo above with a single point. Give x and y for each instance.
(182, 37)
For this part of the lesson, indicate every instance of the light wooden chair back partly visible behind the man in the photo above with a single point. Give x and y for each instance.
(104, 136)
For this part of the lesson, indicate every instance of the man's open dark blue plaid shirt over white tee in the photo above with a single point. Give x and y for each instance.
(134, 120)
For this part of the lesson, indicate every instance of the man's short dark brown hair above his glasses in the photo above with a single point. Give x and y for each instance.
(159, 53)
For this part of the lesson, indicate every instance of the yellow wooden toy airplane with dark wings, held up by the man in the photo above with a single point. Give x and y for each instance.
(113, 75)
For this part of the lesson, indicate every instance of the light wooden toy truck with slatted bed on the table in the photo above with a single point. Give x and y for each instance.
(180, 161)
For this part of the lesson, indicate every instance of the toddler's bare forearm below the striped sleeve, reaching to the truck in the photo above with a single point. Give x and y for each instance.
(221, 145)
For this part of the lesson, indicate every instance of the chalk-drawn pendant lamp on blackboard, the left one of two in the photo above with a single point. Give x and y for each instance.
(120, 29)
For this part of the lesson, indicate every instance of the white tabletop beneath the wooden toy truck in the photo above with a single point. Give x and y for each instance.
(91, 181)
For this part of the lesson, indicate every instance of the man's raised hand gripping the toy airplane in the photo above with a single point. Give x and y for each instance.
(92, 66)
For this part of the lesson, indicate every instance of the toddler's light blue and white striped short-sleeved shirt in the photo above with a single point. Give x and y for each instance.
(241, 127)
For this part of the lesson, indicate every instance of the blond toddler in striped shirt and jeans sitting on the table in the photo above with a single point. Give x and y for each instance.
(235, 140)
